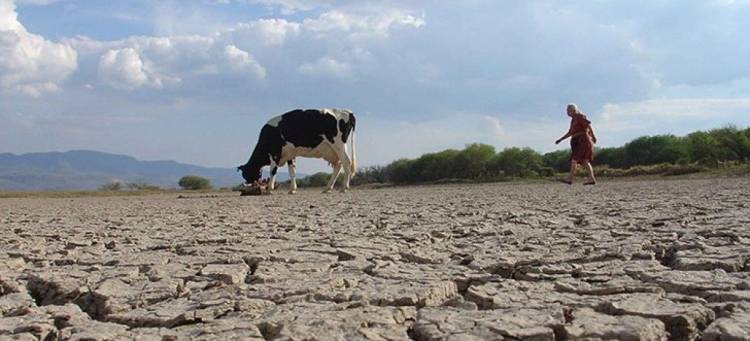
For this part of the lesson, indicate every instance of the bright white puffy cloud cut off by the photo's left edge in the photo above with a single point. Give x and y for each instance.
(29, 63)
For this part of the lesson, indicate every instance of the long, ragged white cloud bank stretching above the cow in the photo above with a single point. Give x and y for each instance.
(332, 41)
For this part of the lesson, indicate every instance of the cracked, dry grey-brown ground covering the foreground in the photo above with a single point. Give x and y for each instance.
(646, 260)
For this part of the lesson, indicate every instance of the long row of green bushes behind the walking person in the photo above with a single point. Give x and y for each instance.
(663, 155)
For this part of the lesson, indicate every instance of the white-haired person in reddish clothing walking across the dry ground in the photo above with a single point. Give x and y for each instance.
(582, 141)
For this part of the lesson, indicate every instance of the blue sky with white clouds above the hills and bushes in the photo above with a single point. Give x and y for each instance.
(194, 81)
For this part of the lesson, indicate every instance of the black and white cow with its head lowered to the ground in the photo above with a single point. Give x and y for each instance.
(313, 133)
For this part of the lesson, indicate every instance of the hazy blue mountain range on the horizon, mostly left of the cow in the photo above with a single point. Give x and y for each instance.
(86, 170)
